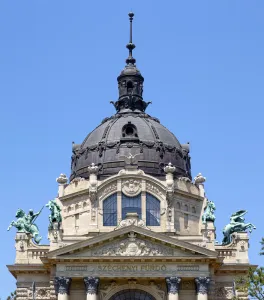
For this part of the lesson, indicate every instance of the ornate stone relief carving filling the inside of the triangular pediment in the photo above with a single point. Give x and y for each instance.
(132, 246)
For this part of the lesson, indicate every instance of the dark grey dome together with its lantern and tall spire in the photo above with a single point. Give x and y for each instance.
(130, 131)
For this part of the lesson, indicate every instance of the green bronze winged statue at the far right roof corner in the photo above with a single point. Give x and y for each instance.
(237, 224)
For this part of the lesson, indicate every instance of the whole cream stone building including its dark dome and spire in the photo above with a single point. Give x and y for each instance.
(129, 222)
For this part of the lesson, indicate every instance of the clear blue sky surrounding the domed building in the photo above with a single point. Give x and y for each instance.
(203, 66)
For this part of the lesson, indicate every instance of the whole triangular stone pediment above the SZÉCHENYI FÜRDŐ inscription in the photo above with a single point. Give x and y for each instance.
(131, 241)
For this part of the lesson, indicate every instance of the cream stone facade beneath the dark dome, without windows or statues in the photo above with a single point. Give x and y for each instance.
(87, 260)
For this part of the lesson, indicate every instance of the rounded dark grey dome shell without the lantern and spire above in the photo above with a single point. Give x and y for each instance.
(125, 133)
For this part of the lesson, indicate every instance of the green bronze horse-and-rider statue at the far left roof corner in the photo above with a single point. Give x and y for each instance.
(25, 223)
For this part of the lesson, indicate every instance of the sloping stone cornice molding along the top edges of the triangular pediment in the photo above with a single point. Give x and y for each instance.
(138, 230)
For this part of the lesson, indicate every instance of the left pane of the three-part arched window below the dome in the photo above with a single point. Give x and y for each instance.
(110, 211)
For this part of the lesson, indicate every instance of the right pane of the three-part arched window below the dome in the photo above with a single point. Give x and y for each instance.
(152, 211)
